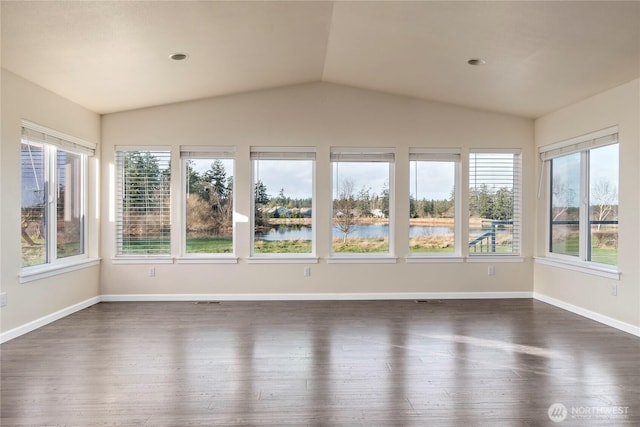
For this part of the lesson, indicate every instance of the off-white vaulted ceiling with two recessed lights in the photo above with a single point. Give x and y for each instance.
(113, 56)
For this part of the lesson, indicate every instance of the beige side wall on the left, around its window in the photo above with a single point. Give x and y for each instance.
(30, 301)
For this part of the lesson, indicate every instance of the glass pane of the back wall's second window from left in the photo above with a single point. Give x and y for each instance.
(209, 206)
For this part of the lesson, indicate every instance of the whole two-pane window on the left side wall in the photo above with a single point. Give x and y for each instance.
(53, 196)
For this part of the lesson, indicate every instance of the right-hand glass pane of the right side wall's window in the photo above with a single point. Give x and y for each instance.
(603, 204)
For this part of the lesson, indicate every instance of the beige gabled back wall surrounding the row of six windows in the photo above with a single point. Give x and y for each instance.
(319, 115)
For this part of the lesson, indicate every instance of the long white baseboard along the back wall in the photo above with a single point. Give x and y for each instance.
(314, 296)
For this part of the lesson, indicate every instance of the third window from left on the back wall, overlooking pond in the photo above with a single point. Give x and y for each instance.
(283, 180)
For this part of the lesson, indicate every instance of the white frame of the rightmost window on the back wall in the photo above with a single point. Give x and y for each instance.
(515, 256)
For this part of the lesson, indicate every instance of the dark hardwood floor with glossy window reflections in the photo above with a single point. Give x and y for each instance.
(448, 363)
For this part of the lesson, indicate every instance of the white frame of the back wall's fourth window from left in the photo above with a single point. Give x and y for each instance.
(365, 154)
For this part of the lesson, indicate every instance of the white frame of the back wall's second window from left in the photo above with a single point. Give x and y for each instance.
(207, 152)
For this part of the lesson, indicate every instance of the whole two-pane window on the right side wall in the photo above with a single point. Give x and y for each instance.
(583, 214)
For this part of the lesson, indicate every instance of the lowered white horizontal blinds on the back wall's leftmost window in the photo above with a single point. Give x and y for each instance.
(143, 213)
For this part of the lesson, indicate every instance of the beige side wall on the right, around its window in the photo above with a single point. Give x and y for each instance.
(619, 106)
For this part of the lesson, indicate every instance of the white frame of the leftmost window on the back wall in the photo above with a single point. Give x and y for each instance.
(138, 258)
